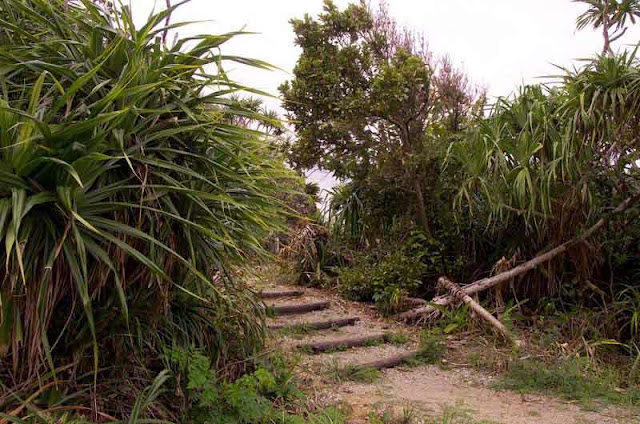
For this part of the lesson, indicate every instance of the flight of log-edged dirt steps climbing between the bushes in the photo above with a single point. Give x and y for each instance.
(326, 334)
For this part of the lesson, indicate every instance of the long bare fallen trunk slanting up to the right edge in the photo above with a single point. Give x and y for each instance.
(486, 283)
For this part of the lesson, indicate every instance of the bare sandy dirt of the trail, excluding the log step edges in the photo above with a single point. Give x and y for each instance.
(427, 390)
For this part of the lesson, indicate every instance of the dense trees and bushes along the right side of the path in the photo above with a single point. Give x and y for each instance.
(437, 182)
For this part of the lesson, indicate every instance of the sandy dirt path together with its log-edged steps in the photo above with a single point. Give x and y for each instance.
(335, 370)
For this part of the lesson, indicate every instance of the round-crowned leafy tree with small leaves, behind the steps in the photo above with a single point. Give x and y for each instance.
(365, 97)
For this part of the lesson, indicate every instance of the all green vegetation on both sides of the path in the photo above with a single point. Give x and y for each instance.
(136, 179)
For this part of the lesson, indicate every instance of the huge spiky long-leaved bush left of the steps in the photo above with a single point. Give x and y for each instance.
(127, 184)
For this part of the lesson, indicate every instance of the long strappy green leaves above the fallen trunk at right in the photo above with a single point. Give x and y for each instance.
(539, 155)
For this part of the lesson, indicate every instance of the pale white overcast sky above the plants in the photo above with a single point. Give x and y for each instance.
(500, 43)
